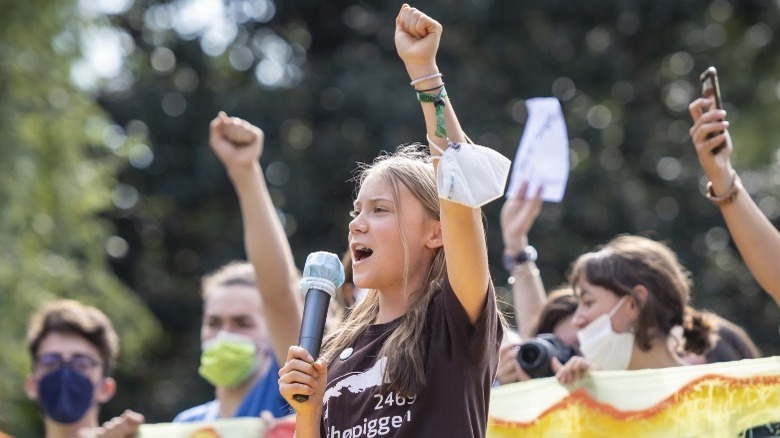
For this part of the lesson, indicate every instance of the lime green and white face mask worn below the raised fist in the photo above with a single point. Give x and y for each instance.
(228, 359)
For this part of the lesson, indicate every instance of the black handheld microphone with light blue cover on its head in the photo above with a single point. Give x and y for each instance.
(322, 274)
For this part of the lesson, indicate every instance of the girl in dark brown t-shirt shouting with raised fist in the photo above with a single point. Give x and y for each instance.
(417, 356)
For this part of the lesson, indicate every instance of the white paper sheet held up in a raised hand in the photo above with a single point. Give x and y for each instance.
(542, 158)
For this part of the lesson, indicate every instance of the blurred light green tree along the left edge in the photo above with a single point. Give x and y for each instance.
(58, 161)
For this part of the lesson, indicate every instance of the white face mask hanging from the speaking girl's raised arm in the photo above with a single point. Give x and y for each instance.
(471, 174)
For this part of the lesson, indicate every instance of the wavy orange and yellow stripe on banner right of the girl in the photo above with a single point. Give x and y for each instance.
(745, 402)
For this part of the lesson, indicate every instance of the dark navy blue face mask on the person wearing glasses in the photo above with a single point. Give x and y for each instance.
(65, 395)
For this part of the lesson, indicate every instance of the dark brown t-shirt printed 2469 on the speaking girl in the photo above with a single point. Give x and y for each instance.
(460, 368)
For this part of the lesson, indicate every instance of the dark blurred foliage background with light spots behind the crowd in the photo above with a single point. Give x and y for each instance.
(110, 194)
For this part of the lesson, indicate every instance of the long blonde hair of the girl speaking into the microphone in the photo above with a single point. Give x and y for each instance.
(405, 349)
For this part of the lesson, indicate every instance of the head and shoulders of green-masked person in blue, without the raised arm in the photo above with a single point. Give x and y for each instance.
(236, 352)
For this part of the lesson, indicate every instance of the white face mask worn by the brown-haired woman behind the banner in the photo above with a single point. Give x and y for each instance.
(600, 344)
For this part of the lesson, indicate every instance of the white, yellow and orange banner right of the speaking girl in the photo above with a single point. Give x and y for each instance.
(714, 400)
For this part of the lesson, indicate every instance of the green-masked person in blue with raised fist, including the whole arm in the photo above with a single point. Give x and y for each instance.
(252, 311)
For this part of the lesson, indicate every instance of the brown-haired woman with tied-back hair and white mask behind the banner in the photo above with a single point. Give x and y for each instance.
(632, 292)
